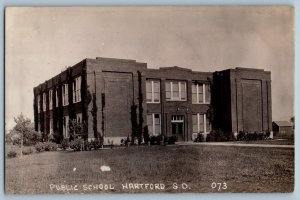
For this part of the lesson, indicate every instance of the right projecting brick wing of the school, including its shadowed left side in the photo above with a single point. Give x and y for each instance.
(243, 100)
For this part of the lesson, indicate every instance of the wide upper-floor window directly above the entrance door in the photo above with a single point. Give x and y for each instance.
(176, 91)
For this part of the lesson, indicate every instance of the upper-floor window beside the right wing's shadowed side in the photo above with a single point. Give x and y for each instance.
(201, 93)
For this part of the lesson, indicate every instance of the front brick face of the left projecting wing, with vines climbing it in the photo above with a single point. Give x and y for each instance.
(116, 82)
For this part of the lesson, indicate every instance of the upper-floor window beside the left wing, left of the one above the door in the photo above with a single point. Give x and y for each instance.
(153, 91)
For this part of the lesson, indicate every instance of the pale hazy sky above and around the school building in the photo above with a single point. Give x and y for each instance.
(41, 42)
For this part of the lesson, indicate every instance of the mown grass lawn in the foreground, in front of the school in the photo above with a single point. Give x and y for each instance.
(243, 169)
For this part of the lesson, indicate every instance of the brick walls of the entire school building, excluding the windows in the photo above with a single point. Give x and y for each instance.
(240, 99)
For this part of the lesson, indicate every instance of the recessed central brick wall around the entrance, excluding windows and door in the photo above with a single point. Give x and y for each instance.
(167, 109)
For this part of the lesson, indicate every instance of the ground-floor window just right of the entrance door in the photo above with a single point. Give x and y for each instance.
(201, 124)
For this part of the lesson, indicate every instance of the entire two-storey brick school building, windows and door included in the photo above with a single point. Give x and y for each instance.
(119, 98)
